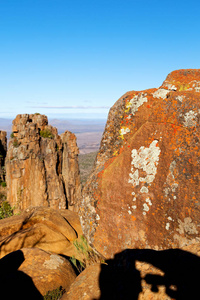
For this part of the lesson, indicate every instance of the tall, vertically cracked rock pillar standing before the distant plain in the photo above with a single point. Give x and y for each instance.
(37, 163)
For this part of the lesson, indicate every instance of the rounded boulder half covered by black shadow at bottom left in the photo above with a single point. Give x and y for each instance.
(31, 273)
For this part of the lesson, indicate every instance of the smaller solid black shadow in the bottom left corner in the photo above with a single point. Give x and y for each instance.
(15, 284)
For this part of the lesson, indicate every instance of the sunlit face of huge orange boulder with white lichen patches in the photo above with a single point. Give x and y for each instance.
(144, 191)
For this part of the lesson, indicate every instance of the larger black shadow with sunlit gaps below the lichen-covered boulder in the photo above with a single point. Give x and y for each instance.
(120, 280)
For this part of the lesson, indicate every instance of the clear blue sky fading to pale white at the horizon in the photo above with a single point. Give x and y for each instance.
(76, 58)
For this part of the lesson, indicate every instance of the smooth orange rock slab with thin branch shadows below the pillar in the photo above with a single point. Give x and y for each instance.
(42, 228)
